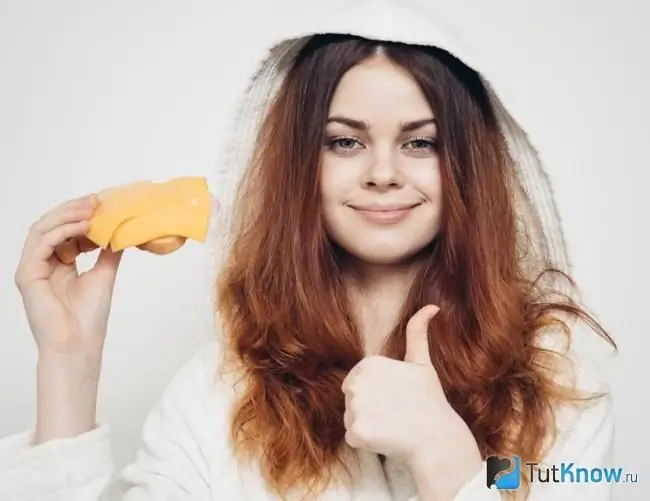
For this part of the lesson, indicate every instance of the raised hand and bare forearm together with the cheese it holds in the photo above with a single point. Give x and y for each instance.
(68, 311)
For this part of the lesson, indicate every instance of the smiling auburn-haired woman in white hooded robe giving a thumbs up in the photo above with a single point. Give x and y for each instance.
(392, 299)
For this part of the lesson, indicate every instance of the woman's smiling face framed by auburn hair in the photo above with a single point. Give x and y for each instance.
(380, 180)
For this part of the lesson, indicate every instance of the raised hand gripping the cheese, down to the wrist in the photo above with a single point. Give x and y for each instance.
(67, 311)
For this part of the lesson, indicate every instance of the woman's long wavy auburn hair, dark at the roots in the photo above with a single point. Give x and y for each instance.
(287, 321)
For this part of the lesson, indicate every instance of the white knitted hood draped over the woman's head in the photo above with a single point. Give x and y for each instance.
(400, 21)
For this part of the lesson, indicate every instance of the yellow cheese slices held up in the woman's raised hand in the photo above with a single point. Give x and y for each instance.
(133, 214)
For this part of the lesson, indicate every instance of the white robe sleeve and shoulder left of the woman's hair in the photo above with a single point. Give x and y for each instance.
(170, 463)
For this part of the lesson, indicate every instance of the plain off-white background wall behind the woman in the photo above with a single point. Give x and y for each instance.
(99, 93)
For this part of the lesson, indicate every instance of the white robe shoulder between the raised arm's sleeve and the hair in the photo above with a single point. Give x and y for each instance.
(185, 437)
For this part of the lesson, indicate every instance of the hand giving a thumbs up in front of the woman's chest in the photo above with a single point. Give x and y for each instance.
(398, 408)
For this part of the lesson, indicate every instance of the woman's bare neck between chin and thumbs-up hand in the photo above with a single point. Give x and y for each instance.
(377, 293)
